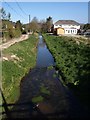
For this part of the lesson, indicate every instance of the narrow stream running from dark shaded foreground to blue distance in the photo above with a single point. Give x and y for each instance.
(42, 94)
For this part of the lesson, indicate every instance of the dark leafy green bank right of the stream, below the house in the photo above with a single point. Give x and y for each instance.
(73, 63)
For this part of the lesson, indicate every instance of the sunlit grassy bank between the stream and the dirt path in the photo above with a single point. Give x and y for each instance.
(17, 60)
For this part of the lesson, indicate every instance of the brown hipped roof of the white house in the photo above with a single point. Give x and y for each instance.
(69, 22)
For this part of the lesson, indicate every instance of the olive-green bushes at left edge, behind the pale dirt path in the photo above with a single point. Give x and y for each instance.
(11, 30)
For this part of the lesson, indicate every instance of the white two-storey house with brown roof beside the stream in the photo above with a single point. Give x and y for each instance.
(66, 27)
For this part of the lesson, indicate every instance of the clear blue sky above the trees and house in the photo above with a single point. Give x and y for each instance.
(77, 11)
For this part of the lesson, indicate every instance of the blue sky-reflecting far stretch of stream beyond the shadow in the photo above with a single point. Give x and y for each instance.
(44, 57)
